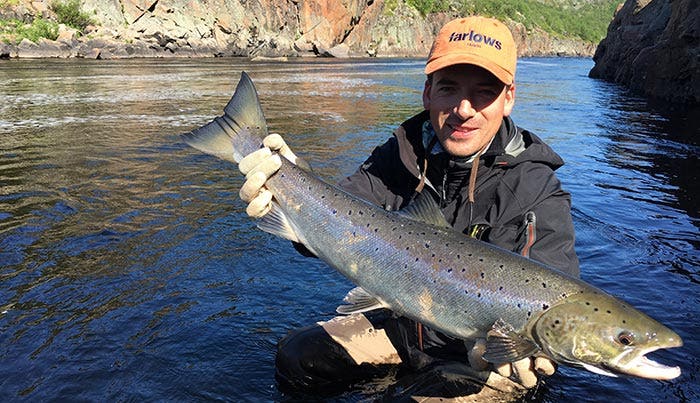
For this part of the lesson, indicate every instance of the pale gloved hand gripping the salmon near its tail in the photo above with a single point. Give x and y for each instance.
(258, 167)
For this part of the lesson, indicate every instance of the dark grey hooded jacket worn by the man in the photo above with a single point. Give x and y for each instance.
(518, 201)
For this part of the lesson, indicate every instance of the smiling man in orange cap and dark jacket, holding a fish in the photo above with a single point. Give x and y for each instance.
(492, 181)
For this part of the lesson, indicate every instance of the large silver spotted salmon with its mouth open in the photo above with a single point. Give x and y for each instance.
(412, 263)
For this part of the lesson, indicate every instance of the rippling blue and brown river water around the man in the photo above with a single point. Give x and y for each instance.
(128, 270)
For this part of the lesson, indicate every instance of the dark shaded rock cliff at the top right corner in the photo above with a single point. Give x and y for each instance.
(653, 47)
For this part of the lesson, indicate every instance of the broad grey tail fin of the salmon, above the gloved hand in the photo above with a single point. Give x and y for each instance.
(236, 133)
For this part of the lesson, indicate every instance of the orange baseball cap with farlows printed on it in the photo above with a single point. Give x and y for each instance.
(484, 42)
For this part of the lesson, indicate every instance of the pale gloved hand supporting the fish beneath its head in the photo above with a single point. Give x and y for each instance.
(525, 370)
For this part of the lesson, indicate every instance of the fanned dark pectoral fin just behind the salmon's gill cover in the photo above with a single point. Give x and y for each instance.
(504, 344)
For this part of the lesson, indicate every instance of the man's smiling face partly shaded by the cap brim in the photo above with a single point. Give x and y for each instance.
(467, 105)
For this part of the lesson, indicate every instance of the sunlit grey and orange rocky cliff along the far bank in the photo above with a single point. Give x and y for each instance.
(257, 28)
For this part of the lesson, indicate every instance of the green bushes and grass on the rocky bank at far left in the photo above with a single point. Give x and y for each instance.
(67, 12)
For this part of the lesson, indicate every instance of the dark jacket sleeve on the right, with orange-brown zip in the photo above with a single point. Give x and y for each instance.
(537, 221)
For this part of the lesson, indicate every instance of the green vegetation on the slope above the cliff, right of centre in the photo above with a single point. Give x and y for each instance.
(587, 20)
